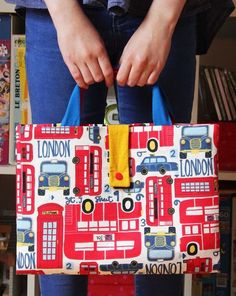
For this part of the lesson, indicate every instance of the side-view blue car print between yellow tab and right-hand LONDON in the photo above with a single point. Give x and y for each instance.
(155, 164)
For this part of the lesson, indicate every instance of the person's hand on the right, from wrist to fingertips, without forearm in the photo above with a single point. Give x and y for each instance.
(144, 56)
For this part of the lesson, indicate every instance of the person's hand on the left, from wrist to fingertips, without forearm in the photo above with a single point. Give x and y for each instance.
(85, 55)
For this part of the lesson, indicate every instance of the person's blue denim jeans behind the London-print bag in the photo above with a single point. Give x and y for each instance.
(50, 85)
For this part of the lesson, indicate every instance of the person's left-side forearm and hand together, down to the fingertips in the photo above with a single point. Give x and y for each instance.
(80, 44)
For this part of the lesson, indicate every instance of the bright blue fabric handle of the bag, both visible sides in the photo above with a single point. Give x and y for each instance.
(160, 113)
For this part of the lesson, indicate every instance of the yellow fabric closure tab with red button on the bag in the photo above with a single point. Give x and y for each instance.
(119, 155)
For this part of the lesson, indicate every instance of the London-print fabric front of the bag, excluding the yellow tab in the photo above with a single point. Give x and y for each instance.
(69, 220)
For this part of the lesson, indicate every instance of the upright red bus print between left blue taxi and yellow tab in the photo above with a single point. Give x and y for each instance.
(88, 170)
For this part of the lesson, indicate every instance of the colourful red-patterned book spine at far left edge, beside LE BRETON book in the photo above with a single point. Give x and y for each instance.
(5, 53)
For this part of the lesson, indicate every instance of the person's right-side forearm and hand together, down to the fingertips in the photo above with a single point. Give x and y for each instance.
(146, 53)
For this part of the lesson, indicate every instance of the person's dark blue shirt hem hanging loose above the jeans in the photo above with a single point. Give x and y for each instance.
(211, 14)
